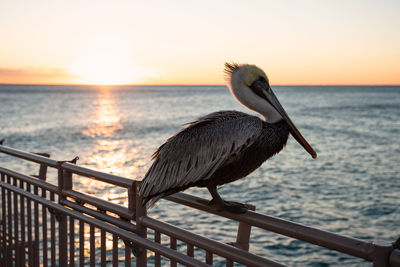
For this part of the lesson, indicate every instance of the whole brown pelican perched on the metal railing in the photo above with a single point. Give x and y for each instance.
(223, 146)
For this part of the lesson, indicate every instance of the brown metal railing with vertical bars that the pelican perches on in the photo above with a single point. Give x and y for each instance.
(44, 224)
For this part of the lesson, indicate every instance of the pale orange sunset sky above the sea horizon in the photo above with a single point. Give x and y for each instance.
(187, 42)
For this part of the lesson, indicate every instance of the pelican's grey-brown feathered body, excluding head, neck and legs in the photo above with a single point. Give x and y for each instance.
(218, 148)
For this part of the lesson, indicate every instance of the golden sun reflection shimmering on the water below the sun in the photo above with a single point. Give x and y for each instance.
(111, 153)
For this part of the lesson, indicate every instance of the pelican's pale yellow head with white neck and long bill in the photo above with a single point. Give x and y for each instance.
(250, 86)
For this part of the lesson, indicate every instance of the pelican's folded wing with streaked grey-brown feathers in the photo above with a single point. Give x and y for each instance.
(197, 151)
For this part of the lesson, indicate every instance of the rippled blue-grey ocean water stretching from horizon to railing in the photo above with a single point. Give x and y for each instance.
(352, 188)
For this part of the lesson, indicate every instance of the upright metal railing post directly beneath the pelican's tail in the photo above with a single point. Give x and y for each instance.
(141, 259)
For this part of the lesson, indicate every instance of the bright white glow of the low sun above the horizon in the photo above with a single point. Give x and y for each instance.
(105, 68)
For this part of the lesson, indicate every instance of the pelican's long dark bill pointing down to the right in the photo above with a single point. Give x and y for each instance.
(269, 95)
